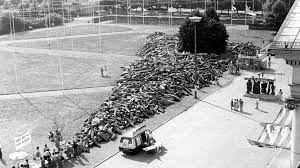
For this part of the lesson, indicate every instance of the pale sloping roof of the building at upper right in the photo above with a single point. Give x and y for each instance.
(288, 36)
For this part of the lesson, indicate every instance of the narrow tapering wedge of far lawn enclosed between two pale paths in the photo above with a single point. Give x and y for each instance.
(124, 44)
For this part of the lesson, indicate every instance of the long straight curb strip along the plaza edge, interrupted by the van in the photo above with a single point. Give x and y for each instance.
(170, 119)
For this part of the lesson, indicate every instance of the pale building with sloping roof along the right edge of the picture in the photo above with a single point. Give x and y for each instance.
(286, 45)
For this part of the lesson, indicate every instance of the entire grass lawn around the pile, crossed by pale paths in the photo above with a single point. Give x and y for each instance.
(39, 71)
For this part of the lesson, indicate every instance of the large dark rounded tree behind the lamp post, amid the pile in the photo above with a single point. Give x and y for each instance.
(212, 35)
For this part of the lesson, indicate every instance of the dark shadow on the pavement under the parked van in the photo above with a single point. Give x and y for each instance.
(148, 158)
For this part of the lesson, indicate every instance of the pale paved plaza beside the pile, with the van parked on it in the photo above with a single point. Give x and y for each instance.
(210, 135)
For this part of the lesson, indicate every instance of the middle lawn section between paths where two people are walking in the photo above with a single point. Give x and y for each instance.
(41, 72)
